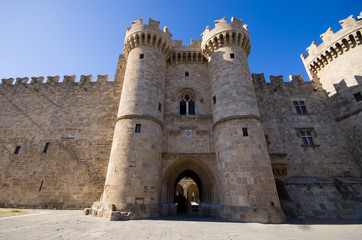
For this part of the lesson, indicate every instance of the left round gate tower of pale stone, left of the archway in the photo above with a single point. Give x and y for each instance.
(133, 177)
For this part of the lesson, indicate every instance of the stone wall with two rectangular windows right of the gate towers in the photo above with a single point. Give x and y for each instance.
(329, 156)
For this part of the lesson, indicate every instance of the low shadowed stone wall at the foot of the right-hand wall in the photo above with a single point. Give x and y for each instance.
(318, 198)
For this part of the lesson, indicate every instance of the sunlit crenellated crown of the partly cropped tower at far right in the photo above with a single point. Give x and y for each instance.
(333, 45)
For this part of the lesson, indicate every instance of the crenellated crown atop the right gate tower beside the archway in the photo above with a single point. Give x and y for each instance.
(224, 34)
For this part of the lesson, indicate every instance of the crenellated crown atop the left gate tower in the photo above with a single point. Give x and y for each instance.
(147, 35)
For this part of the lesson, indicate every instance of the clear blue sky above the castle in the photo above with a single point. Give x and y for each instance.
(82, 37)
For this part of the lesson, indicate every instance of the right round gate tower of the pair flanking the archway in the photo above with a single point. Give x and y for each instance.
(248, 191)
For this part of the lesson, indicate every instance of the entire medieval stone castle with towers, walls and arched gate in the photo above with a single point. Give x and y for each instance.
(190, 129)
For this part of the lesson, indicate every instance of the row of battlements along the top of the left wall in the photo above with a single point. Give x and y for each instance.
(54, 80)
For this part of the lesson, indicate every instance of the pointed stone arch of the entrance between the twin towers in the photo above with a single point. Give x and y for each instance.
(196, 170)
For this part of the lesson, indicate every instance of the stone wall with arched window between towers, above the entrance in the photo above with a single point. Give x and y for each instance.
(188, 133)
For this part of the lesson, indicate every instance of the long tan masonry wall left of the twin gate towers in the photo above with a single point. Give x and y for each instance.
(71, 173)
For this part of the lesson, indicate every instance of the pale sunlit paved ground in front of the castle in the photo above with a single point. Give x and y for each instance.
(72, 224)
